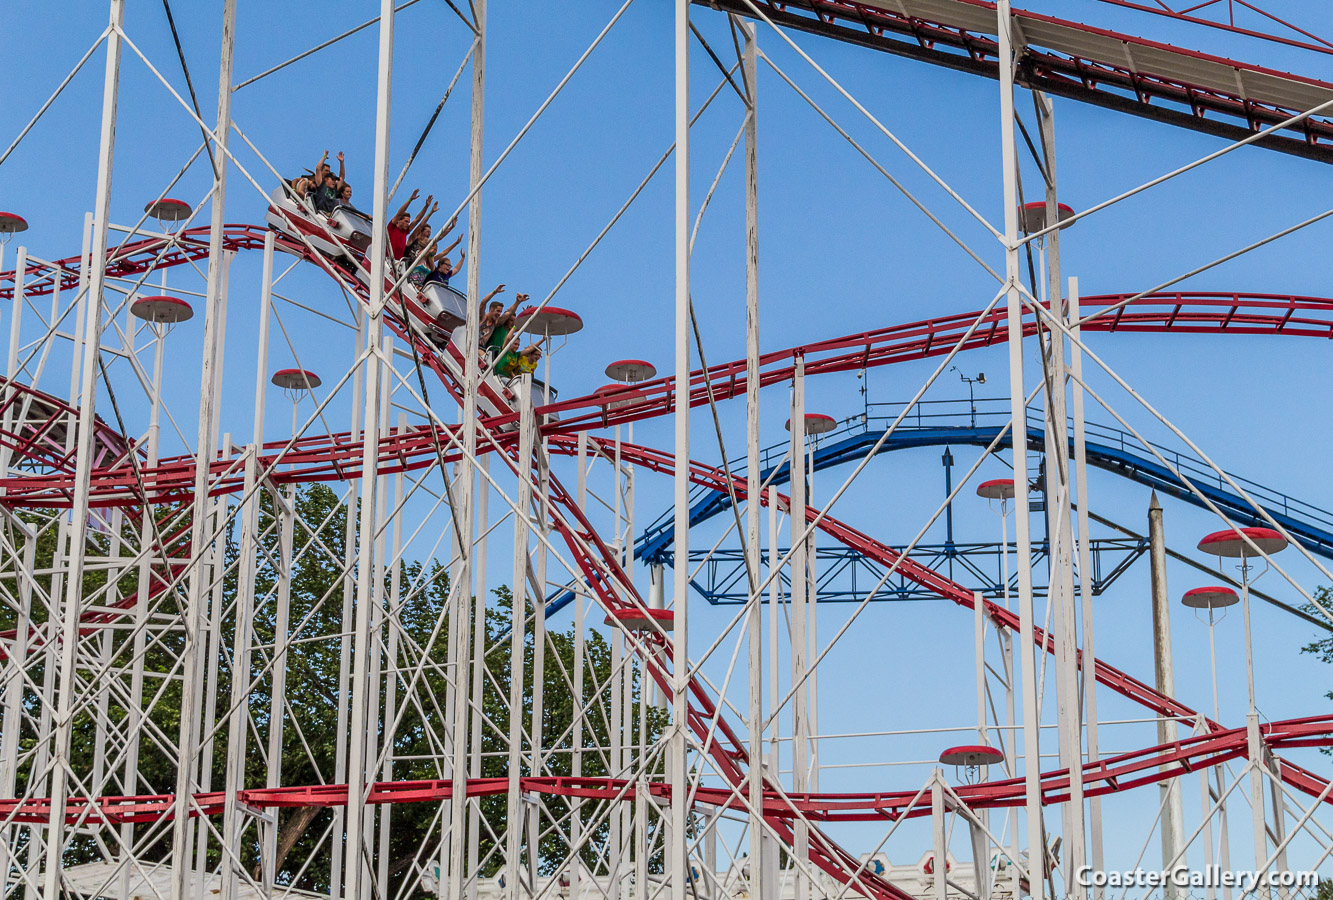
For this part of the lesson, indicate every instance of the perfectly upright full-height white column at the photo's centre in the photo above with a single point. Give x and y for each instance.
(678, 863)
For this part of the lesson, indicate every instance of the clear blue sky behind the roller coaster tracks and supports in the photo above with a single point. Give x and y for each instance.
(842, 251)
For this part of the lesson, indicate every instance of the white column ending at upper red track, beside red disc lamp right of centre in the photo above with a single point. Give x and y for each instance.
(800, 615)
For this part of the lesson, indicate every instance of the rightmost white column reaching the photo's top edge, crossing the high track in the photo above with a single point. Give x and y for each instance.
(1018, 410)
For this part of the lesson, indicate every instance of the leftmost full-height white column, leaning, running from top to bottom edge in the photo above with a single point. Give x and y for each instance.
(83, 461)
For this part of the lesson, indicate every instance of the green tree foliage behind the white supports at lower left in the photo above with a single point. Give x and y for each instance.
(319, 614)
